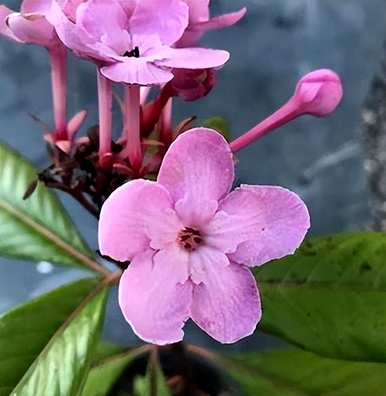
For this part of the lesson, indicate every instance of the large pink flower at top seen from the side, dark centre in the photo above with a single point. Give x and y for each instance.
(132, 41)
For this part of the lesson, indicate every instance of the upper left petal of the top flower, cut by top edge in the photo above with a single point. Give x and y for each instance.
(100, 17)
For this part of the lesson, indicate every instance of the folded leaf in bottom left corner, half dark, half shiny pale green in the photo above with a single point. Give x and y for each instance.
(46, 343)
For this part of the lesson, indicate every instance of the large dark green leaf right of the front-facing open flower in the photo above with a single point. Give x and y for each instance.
(330, 297)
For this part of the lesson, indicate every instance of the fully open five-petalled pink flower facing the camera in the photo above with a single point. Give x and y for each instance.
(191, 242)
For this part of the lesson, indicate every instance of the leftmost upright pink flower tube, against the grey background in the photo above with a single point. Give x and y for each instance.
(58, 56)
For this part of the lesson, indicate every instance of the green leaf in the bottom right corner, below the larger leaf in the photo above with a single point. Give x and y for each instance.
(299, 373)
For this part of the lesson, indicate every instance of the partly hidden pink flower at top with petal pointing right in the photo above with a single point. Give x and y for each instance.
(200, 21)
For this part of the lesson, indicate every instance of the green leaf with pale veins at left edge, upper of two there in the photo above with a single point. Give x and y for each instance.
(37, 228)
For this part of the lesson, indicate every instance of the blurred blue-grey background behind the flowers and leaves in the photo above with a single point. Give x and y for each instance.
(277, 42)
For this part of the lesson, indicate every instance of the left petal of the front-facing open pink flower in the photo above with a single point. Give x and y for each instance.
(135, 216)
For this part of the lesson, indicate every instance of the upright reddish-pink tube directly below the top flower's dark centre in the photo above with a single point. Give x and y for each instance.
(131, 125)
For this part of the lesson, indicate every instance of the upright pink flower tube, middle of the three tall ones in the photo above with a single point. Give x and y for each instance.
(105, 101)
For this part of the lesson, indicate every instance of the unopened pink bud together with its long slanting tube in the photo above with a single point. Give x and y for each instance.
(317, 93)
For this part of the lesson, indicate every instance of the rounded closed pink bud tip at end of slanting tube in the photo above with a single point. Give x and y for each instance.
(318, 93)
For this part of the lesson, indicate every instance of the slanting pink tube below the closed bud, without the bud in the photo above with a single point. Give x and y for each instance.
(285, 114)
